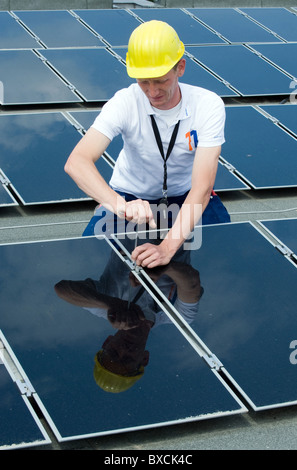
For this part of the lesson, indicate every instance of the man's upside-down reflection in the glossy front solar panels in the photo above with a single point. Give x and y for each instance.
(119, 298)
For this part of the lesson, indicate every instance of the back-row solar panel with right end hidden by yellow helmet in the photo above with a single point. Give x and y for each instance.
(115, 26)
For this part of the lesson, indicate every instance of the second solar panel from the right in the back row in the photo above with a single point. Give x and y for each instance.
(232, 25)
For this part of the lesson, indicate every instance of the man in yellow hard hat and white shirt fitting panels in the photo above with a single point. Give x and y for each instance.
(188, 119)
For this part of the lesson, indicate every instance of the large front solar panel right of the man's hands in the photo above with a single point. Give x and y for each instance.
(247, 313)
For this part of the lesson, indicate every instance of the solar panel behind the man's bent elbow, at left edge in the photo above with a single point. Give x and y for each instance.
(33, 151)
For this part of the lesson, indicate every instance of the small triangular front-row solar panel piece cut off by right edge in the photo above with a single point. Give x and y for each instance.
(285, 230)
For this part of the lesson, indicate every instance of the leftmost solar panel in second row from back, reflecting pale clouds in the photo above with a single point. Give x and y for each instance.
(26, 80)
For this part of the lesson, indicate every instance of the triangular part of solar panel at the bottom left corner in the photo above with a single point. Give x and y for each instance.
(18, 426)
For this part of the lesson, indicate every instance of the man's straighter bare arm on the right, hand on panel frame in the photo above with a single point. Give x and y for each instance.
(203, 179)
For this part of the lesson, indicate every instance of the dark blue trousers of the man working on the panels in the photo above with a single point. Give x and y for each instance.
(214, 213)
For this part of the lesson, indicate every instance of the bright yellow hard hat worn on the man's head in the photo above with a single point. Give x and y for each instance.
(153, 50)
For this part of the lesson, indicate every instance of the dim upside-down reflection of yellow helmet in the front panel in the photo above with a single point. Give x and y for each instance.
(111, 382)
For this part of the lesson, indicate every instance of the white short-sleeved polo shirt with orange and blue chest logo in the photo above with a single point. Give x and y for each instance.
(139, 166)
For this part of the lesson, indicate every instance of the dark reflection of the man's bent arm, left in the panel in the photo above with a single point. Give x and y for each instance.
(82, 294)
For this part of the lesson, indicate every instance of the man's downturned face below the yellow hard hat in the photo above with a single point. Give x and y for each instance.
(163, 92)
